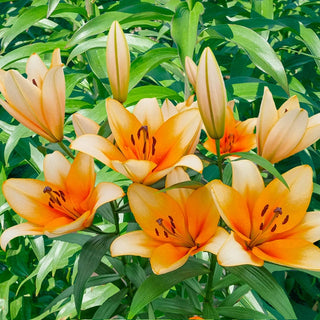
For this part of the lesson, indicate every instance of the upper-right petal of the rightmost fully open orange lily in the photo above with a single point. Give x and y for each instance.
(292, 203)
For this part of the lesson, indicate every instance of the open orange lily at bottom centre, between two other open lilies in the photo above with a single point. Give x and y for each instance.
(175, 224)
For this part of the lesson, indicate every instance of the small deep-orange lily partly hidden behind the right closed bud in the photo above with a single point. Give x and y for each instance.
(238, 135)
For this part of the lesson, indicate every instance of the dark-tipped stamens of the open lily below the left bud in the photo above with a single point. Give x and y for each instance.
(143, 144)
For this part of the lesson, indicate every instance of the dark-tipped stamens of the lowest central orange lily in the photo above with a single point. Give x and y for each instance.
(168, 229)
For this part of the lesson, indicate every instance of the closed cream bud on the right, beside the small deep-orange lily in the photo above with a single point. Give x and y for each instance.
(211, 94)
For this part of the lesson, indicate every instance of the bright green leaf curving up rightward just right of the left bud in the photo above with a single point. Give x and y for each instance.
(148, 61)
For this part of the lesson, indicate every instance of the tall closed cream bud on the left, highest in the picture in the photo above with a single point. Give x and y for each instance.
(118, 62)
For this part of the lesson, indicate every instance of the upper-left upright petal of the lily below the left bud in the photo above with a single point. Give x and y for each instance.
(123, 124)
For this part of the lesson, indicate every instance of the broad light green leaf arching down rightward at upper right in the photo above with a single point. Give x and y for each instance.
(257, 48)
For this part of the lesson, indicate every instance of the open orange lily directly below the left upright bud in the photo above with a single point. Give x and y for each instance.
(148, 147)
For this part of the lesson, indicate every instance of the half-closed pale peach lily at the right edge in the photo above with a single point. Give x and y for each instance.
(284, 132)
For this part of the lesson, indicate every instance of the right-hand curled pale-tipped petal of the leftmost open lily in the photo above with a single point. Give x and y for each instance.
(104, 192)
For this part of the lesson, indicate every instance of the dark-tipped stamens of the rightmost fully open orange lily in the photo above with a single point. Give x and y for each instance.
(270, 223)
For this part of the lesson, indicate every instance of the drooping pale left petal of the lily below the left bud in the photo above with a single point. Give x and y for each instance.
(97, 147)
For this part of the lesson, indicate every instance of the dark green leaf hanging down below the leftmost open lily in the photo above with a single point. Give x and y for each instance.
(90, 257)
